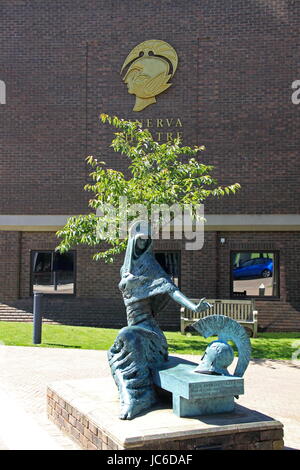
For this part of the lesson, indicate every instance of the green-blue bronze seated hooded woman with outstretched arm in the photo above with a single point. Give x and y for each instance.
(142, 346)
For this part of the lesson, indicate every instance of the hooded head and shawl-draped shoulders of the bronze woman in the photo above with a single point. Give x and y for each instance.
(142, 276)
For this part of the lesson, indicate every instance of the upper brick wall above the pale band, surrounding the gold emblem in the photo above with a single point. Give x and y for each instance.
(232, 91)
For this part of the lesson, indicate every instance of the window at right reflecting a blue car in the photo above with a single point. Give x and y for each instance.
(254, 274)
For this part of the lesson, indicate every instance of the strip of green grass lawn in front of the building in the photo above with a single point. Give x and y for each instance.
(265, 346)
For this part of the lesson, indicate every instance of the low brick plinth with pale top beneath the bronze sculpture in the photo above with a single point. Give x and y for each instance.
(87, 410)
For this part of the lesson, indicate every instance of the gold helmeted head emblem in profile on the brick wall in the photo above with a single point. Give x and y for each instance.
(148, 69)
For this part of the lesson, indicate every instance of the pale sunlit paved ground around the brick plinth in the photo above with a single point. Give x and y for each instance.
(272, 387)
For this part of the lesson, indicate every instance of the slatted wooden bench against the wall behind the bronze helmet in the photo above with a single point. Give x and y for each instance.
(243, 311)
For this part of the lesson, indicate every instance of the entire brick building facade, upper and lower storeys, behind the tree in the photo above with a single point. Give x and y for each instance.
(61, 61)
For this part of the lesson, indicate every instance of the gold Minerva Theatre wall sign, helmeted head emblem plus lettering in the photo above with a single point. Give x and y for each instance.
(147, 71)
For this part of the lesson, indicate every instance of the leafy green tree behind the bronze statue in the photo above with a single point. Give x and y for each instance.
(166, 173)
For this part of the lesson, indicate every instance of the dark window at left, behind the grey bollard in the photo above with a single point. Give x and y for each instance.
(52, 272)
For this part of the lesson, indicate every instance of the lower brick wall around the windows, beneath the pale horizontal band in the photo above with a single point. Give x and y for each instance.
(203, 273)
